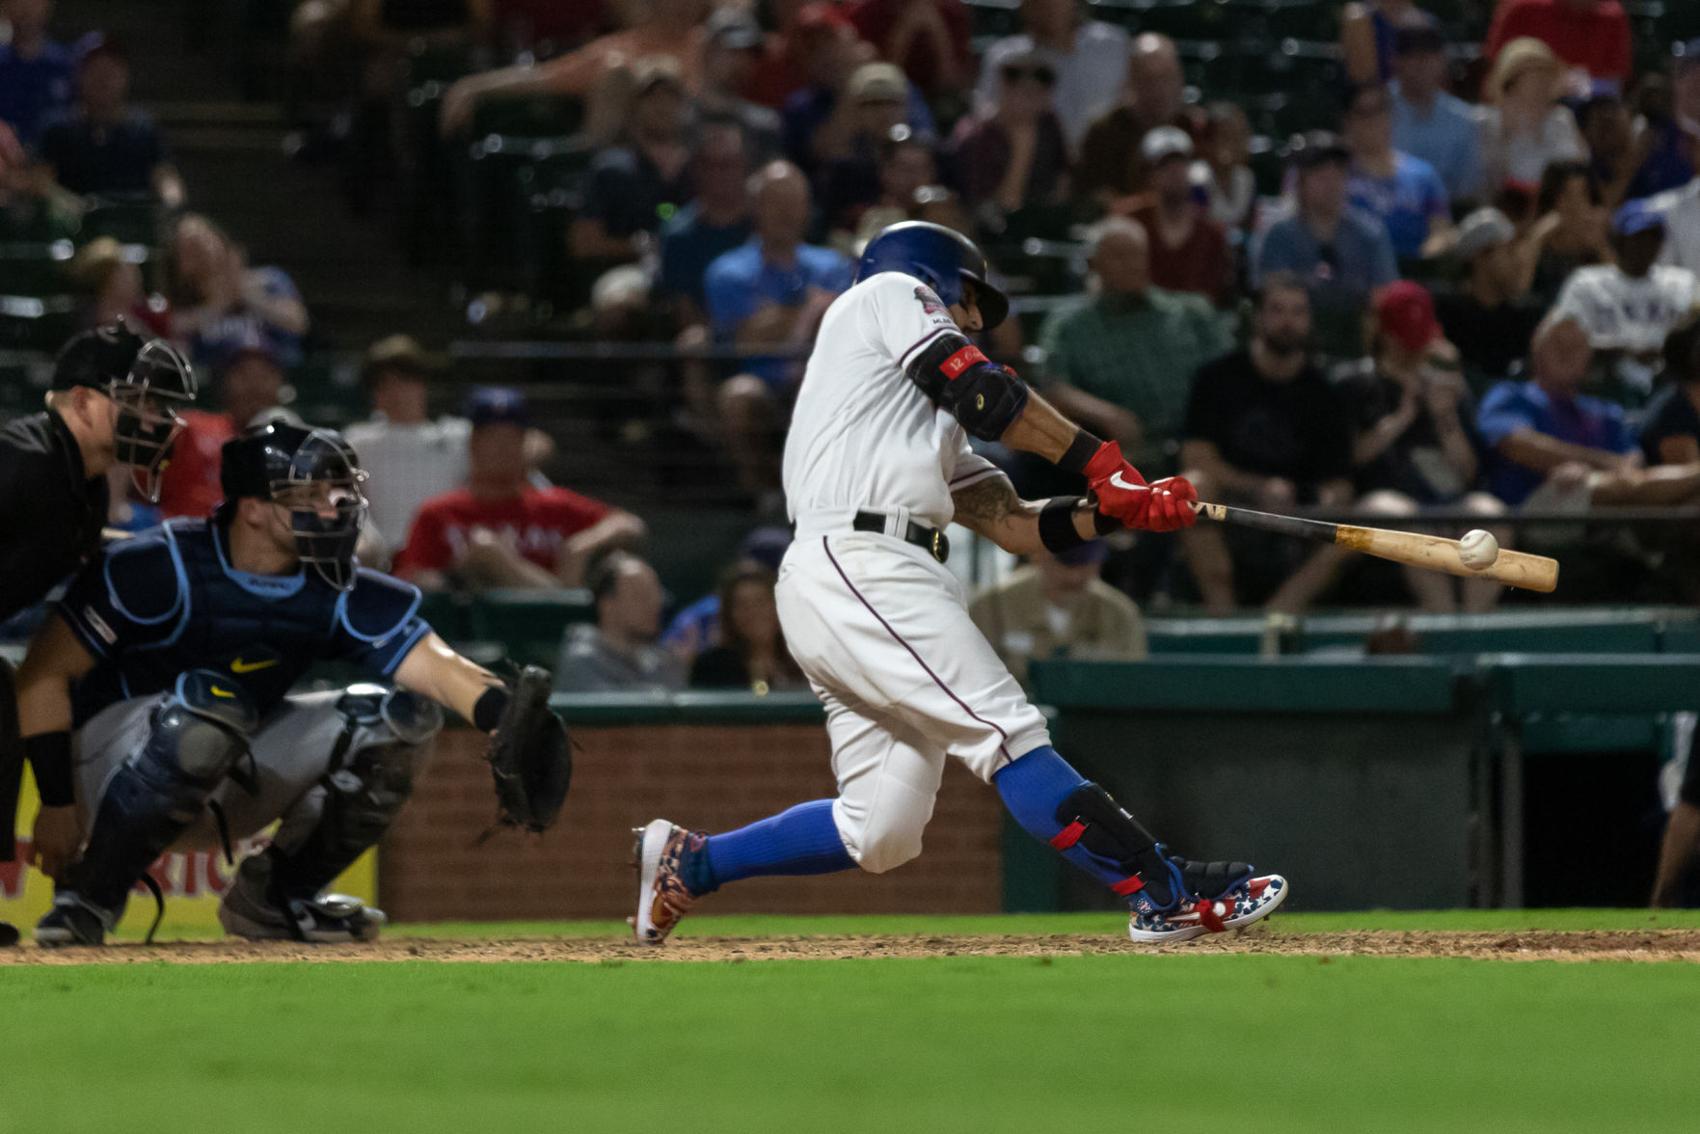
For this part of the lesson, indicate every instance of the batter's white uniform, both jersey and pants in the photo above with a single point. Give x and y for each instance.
(878, 625)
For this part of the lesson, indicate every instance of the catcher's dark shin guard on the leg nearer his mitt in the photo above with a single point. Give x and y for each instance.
(380, 756)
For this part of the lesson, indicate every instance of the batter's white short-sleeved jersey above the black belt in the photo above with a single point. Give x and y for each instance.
(863, 436)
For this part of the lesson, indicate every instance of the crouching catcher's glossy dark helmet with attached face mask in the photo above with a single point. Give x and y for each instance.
(314, 473)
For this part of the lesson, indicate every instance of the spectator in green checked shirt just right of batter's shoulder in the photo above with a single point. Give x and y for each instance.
(1119, 363)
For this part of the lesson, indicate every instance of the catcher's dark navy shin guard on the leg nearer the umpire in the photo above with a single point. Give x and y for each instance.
(196, 739)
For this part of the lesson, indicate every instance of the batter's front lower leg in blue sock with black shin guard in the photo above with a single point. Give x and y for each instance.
(1058, 807)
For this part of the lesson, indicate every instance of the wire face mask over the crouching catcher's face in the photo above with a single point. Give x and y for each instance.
(320, 487)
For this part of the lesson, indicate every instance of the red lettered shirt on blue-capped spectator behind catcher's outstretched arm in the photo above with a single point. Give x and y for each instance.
(538, 524)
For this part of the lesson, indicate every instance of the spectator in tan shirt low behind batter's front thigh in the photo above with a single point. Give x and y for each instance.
(1058, 608)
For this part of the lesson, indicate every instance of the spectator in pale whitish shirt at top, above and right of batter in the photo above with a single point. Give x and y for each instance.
(1089, 59)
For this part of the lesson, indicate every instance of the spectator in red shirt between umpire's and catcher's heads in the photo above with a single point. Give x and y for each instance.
(249, 385)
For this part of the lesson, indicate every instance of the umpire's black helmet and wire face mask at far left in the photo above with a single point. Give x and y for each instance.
(147, 380)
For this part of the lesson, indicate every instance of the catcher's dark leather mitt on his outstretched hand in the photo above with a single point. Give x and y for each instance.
(530, 756)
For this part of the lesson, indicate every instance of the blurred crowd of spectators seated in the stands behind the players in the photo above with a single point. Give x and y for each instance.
(1383, 259)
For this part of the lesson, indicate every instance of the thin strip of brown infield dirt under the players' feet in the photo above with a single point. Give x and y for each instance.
(1519, 946)
